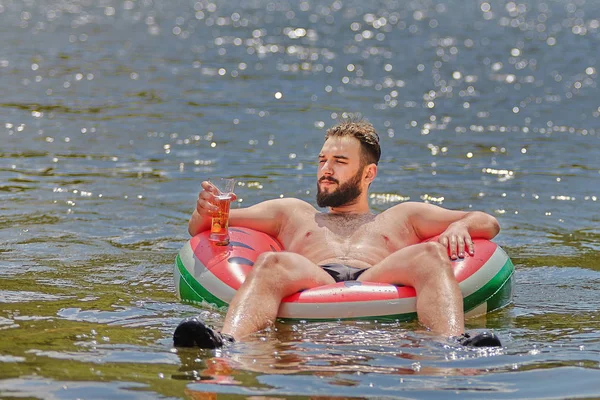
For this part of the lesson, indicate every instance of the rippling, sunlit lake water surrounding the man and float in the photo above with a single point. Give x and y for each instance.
(113, 112)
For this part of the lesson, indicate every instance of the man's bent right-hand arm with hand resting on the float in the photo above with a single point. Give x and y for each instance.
(456, 229)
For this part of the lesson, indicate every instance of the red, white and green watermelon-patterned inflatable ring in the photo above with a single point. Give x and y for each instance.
(209, 274)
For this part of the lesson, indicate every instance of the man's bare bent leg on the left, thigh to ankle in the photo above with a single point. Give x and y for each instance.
(275, 275)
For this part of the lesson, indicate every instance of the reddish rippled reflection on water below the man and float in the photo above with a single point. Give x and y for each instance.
(338, 351)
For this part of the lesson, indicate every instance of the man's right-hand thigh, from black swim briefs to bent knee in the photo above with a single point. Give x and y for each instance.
(408, 265)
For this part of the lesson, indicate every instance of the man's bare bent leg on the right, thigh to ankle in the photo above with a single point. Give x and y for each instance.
(427, 268)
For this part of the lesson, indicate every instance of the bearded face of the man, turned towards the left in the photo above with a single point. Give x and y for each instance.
(340, 173)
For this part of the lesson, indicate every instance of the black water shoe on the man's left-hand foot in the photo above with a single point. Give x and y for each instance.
(192, 332)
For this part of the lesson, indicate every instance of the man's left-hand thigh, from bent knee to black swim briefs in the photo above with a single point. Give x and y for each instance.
(292, 272)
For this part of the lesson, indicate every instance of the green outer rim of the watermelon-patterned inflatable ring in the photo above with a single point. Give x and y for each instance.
(495, 294)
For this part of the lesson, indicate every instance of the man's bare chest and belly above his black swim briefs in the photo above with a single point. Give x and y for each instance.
(359, 241)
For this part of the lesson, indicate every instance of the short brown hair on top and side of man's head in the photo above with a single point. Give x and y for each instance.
(364, 132)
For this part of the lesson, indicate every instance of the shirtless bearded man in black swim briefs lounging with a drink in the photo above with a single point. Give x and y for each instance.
(346, 243)
